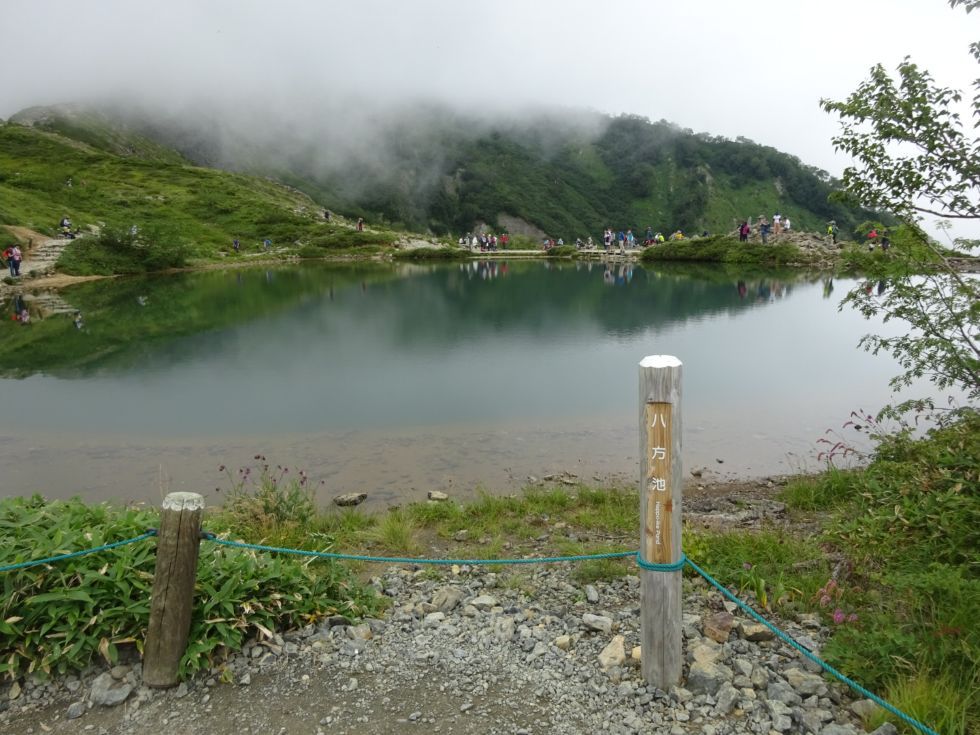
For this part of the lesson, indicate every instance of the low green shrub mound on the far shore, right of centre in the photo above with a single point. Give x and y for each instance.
(726, 249)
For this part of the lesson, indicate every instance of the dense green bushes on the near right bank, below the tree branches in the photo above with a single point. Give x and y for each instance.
(908, 531)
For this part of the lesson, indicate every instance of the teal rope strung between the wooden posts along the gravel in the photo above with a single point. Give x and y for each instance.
(641, 562)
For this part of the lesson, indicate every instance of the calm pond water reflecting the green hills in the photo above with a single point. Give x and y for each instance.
(396, 380)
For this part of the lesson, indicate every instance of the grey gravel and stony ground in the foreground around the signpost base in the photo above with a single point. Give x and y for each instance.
(465, 650)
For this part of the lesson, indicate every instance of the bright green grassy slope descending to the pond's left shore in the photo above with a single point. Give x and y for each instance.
(107, 182)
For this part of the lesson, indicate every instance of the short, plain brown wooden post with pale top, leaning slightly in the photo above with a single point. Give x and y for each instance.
(172, 601)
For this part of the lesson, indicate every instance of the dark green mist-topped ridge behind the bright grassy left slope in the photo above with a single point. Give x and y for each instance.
(563, 175)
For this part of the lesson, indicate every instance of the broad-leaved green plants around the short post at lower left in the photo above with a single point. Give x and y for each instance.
(61, 617)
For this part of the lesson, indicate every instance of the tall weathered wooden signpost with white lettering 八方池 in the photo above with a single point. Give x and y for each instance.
(661, 479)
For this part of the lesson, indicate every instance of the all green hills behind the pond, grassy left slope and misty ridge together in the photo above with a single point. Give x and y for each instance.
(433, 171)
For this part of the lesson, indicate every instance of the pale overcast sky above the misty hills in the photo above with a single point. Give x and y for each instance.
(755, 68)
